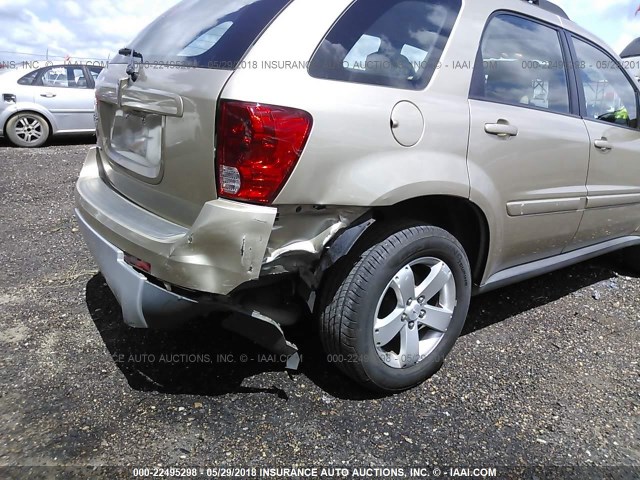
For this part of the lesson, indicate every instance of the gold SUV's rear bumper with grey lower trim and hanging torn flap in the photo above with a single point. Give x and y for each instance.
(223, 249)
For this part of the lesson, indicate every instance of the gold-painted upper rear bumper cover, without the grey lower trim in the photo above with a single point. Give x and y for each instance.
(222, 250)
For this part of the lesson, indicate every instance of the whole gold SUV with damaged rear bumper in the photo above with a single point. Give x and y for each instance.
(373, 163)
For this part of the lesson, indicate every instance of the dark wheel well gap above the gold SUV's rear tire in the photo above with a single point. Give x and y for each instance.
(458, 216)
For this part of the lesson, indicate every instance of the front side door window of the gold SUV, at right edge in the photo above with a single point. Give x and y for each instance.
(608, 93)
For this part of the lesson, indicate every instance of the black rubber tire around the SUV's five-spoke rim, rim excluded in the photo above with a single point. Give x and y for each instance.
(423, 244)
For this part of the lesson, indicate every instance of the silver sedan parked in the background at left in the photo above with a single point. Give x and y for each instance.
(55, 100)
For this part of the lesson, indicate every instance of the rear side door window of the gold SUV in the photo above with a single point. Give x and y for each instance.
(522, 64)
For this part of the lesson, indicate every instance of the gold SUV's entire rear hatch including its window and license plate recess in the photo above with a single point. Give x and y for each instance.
(157, 133)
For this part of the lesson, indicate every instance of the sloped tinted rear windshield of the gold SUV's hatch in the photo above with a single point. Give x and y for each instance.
(205, 33)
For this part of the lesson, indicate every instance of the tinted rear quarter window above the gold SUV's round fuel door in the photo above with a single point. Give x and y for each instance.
(393, 43)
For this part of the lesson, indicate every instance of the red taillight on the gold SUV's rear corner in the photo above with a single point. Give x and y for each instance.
(258, 147)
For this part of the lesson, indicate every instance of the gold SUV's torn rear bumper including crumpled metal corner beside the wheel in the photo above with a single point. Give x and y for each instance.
(229, 245)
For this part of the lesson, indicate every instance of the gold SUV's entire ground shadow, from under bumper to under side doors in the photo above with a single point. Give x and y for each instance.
(203, 359)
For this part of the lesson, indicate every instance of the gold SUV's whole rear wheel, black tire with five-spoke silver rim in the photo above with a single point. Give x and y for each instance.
(375, 335)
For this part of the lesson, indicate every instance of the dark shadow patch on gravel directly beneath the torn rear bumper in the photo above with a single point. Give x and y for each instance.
(200, 358)
